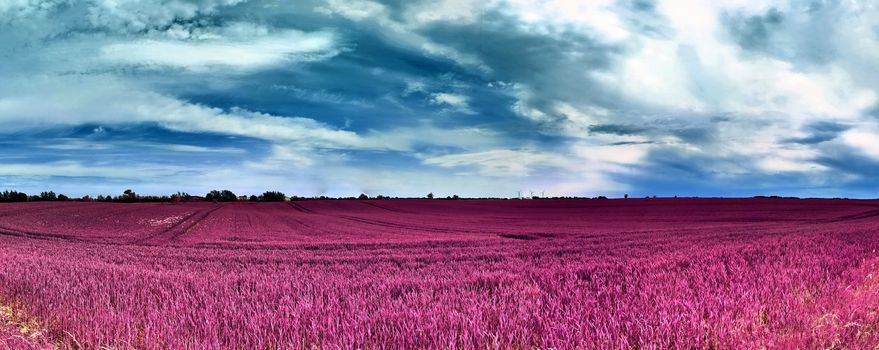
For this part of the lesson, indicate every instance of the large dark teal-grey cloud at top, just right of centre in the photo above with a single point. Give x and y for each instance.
(553, 68)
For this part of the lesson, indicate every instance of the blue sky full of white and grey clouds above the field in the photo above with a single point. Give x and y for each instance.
(468, 97)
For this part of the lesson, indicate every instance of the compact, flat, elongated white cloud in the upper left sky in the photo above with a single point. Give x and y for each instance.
(200, 55)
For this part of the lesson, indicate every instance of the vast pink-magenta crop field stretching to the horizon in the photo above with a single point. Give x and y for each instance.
(567, 274)
